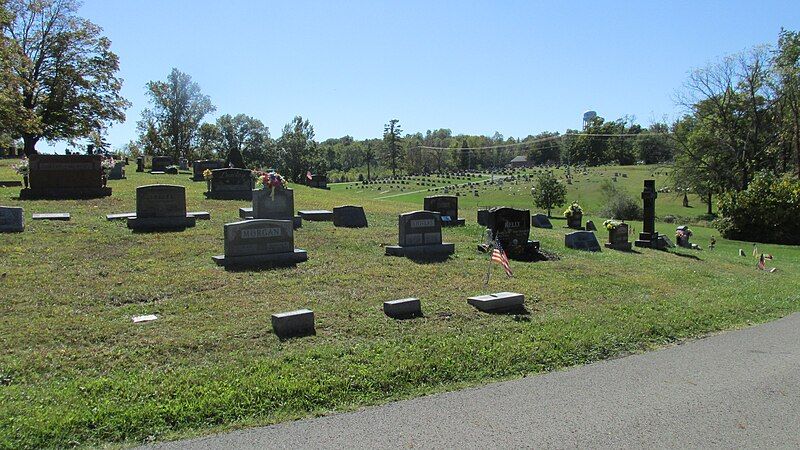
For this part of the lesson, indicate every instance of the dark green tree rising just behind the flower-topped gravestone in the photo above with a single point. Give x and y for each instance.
(296, 148)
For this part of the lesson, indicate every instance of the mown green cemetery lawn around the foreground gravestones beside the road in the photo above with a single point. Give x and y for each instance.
(75, 371)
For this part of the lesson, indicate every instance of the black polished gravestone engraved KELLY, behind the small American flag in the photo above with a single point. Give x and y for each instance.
(512, 227)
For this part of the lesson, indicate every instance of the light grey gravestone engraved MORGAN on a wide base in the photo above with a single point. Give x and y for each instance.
(259, 242)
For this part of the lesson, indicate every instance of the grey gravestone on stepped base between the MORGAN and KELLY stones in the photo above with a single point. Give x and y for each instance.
(420, 236)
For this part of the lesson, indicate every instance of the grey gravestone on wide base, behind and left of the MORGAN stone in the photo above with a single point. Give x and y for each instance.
(160, 207)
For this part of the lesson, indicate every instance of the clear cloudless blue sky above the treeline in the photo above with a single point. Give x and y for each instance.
(517, 67)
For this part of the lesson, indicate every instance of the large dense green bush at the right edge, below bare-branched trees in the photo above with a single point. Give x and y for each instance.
(767, 211)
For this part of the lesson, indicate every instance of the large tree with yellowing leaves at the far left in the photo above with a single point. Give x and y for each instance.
(63, 71)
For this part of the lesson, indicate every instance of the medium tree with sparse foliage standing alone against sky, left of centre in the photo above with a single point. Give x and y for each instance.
(177, 108)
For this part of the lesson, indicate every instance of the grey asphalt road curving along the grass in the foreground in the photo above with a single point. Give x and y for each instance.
(737, 389)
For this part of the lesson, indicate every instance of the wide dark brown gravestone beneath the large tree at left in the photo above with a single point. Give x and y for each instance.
(65, 177)
